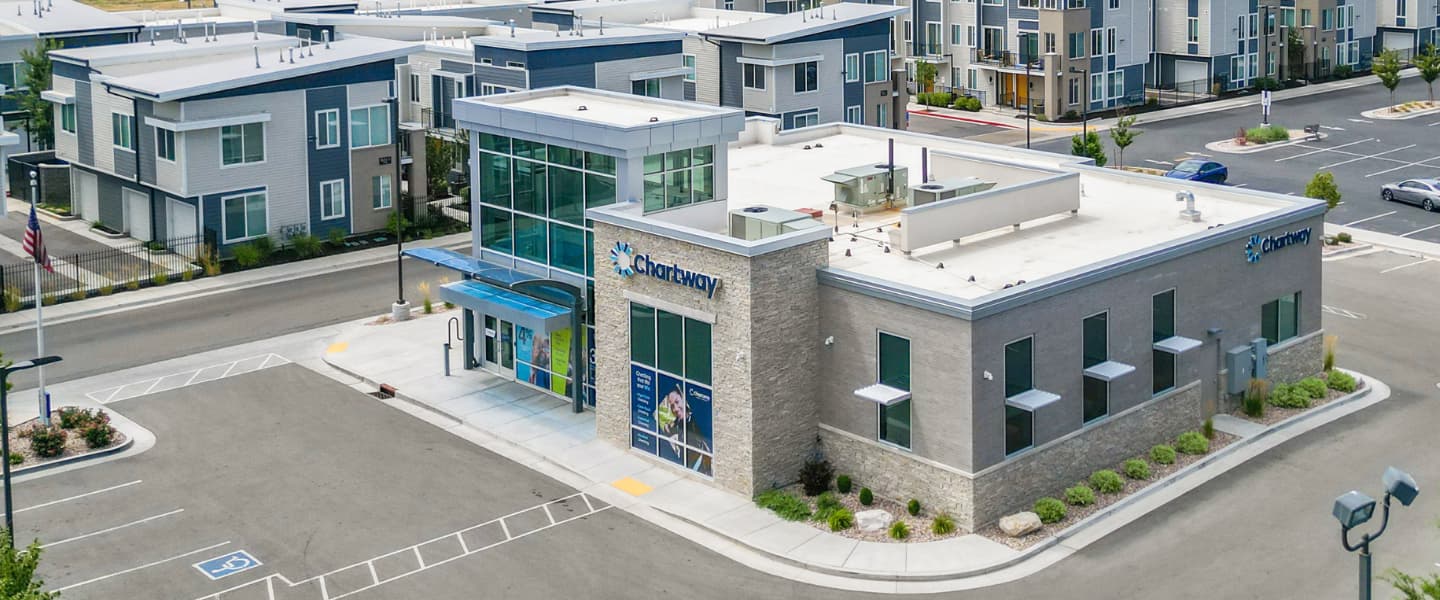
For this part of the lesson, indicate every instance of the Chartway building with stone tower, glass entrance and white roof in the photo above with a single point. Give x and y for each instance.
(971, 324)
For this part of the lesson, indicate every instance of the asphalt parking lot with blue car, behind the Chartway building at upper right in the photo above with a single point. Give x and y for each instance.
(1362, 153)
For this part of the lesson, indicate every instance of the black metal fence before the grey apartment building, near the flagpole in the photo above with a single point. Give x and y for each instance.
(120, 268)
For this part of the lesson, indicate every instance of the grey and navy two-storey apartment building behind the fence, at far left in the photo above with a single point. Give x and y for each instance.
(233, 137)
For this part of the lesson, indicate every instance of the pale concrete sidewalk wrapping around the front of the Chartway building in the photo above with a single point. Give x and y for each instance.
(542, 432)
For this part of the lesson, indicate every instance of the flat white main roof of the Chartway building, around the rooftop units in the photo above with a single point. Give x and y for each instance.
(1120, 212)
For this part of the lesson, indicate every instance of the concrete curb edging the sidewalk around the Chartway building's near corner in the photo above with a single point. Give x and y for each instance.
(1074, 530)
